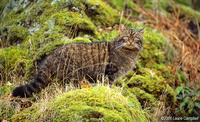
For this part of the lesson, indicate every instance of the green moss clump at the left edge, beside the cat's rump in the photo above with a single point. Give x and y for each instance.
(14, 61)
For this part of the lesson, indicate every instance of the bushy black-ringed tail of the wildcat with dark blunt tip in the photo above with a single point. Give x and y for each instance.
(27, 90)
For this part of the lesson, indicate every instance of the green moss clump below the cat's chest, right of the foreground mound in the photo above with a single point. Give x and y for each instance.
(151, 86)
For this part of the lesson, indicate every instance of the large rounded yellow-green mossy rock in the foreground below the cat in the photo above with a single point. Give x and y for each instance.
(92, 104)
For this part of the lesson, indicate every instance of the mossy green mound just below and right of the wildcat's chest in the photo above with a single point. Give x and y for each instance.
(149, 87)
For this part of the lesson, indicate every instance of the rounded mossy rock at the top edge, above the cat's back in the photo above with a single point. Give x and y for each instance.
(97, 10)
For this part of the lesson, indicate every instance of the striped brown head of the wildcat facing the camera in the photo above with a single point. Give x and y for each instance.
(131, 40)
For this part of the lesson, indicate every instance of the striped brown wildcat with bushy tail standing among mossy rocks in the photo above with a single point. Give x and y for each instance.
(74, 62)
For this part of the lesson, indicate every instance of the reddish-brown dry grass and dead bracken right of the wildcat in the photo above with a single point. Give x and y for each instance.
(187, 44)
